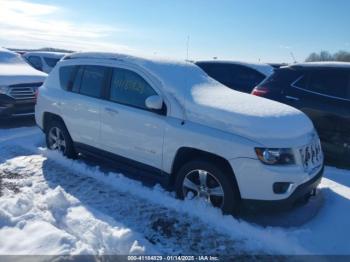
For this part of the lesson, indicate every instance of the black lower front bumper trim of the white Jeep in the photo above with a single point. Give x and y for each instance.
(300, 195)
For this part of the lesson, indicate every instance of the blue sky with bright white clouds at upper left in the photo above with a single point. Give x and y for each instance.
(248, 30)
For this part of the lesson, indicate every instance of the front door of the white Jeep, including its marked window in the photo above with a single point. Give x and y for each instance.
(128, 128)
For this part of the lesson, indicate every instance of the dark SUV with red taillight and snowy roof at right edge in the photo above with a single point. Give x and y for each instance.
(322, 91)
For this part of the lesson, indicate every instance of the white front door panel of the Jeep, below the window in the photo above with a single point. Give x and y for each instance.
(132, 133)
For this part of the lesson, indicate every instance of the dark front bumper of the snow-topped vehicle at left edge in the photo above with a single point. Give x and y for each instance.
(10, 107)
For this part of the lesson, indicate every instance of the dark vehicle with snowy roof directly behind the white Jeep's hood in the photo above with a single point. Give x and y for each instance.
(239, 76)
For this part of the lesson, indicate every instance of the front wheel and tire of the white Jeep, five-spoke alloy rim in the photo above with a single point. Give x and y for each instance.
(215, 178)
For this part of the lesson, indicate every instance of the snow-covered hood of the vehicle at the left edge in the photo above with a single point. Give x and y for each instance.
(17, 73)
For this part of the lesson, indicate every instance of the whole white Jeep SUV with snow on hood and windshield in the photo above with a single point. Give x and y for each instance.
(171, 120)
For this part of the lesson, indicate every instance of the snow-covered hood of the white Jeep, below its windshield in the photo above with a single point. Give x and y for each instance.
(250, 116)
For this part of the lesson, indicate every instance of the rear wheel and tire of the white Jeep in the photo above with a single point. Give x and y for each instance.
(58, 129)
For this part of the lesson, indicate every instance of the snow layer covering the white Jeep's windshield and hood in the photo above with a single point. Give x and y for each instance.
(208, 102)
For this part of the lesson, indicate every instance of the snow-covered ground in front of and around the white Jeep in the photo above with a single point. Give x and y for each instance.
(52, 205)
